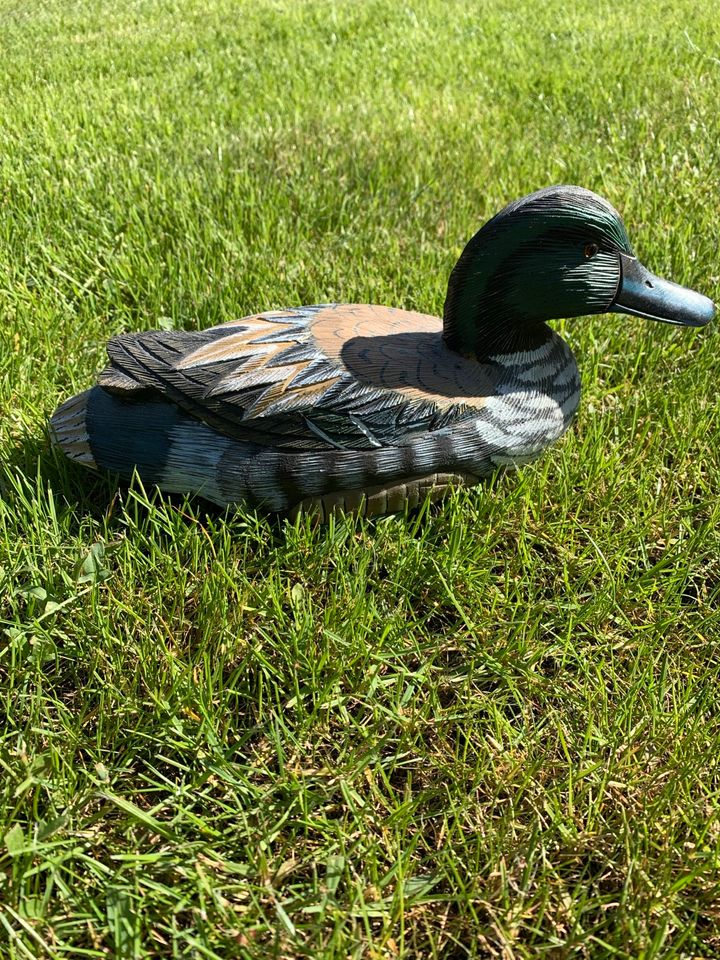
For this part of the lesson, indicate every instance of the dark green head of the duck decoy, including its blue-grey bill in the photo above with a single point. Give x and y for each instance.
(560, 252)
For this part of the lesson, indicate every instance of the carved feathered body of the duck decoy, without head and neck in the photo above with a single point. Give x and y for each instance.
(336, 404)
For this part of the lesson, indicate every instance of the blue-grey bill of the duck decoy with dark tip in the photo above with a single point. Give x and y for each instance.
(645, 295)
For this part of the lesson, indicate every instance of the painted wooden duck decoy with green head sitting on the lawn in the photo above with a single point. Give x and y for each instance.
(360, 407)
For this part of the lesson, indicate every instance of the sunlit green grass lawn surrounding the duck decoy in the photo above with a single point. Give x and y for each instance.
(489, 729)
